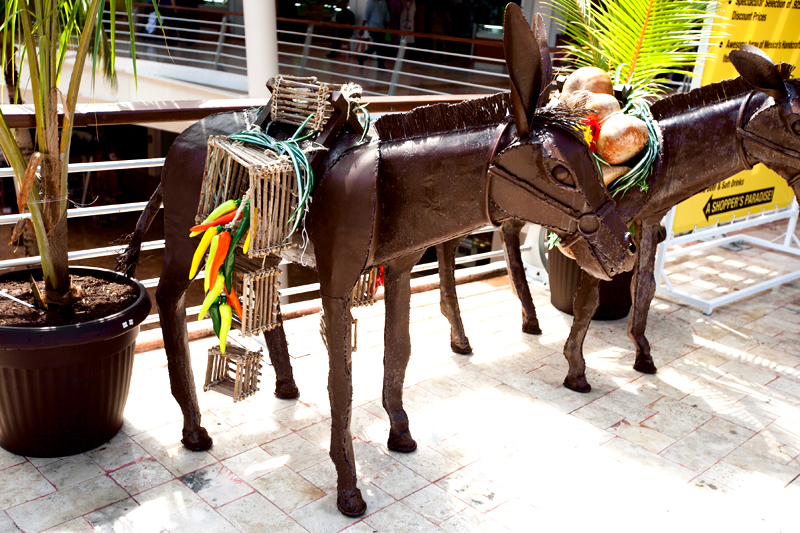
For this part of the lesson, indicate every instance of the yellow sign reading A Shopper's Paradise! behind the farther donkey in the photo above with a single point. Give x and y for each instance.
(774, 27)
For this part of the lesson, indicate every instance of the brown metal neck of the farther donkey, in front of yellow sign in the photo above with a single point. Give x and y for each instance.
(700, 148)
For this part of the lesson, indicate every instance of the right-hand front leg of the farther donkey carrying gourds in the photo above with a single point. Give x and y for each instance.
(643, 288)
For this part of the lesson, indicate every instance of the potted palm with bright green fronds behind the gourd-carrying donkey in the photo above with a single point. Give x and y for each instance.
(635, 43)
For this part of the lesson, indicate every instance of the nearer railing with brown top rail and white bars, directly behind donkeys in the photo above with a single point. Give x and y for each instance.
(139, 112)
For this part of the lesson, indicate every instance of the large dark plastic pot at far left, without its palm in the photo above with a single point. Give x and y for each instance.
(63, 389)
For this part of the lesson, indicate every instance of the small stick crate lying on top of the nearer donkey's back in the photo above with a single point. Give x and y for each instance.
(294, 99)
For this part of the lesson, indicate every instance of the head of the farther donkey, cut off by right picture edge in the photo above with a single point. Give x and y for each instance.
(772, 134)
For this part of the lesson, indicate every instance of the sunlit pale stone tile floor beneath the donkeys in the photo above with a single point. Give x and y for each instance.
(709, 443)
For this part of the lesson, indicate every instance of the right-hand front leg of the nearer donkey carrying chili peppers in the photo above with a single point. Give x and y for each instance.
(397, 350)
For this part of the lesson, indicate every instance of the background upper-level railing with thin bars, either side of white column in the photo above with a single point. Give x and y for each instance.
(214, 40)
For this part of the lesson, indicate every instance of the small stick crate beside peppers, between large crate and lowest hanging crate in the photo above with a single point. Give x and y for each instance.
(258, 288)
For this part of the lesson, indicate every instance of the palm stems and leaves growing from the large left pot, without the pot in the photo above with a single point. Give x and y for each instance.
(48, 32)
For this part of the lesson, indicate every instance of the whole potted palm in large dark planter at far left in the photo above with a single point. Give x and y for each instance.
(64, 379)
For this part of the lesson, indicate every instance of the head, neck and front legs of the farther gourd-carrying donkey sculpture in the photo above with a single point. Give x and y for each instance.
(707, 135)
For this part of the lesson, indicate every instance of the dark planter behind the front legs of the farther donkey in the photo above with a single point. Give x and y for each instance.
(564, 273)
